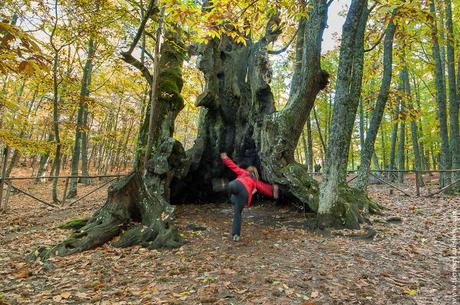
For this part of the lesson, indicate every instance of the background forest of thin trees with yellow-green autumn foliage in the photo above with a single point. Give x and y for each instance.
(69, 103)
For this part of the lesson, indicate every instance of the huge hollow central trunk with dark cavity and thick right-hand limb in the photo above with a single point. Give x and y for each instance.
(239, 115)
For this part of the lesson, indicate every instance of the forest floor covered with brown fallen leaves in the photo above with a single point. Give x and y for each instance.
(276, 262)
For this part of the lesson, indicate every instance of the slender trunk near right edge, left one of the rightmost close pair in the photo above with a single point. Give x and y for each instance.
(445, 163)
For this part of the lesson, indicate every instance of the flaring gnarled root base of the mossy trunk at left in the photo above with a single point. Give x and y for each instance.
(128, 201)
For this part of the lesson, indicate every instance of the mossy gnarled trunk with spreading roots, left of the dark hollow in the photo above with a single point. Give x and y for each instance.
(142, 198)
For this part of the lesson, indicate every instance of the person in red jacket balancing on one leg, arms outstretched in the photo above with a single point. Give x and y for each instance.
(242, 189)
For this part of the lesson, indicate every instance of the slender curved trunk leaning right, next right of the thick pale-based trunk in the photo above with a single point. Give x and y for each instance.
(368, 148)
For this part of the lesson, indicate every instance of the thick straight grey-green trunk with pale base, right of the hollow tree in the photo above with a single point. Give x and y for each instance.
(348, 88)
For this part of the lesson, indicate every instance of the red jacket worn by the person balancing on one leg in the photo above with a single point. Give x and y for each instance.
(248, 181)
